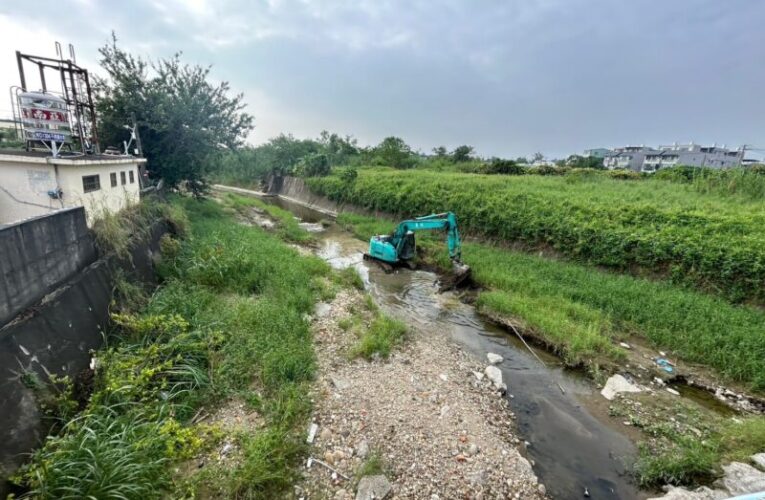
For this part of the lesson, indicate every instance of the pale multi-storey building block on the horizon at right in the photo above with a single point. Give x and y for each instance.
(692, 155)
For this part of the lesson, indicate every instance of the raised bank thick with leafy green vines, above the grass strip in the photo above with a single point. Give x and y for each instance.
(713, 241)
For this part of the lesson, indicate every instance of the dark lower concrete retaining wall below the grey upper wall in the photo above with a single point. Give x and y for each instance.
(56, 336)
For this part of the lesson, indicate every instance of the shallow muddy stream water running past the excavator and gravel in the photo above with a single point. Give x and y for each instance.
(561, 415)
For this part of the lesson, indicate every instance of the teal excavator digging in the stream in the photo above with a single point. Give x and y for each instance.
(399, 247)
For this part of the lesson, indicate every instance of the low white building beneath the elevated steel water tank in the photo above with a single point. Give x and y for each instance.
(33, 184)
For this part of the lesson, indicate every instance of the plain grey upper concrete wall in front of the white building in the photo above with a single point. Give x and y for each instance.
(38, 254)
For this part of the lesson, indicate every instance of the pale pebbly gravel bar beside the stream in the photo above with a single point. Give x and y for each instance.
(439, 431)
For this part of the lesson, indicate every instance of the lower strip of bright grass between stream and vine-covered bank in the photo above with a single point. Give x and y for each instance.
(581, 311)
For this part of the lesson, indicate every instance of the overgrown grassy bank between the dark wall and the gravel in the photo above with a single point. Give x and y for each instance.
(228, 322)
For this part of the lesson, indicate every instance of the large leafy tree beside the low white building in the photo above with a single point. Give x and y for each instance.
(184, 120)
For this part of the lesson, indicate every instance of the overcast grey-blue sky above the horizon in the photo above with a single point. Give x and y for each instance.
(509, 77)
